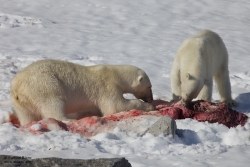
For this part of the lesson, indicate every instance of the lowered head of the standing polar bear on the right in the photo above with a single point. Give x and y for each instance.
(190, 87)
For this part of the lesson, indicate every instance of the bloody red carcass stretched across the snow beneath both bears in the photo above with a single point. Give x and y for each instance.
(89, 126)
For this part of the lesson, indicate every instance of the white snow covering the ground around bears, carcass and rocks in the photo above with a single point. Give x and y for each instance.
(142, 33)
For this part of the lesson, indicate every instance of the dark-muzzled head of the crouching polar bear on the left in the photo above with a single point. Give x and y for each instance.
(142, 88)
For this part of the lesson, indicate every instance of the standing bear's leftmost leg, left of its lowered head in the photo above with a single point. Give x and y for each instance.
(175, 83)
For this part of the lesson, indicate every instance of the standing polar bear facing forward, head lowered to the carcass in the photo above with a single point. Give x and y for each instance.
(197, 61)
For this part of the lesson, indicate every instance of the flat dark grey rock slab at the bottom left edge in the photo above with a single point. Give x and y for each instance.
(9, 161)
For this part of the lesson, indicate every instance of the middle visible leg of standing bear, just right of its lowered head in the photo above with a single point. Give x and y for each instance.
(206, 91)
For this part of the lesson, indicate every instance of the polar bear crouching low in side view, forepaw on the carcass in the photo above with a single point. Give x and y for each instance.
(63, 90)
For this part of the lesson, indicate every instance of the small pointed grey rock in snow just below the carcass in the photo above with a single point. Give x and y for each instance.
(165, 125)
